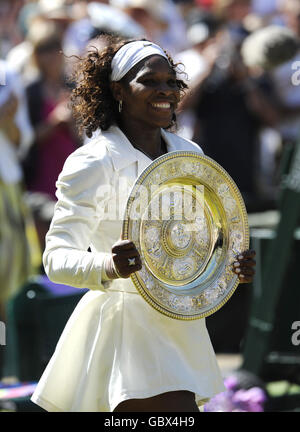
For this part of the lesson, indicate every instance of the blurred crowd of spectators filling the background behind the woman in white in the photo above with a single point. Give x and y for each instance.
(239, 57)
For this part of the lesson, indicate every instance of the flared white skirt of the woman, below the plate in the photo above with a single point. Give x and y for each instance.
(117, 347)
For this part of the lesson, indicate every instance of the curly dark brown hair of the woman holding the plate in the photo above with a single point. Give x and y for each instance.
(92, 100)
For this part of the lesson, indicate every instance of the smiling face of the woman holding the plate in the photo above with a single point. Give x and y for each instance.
(149, 93)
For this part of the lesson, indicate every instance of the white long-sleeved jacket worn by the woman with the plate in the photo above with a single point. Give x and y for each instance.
(91, 177)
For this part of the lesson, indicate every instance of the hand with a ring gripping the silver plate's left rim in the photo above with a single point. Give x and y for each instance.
(125, 258)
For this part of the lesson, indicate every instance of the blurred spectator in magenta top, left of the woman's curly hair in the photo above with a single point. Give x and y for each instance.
(50, 117)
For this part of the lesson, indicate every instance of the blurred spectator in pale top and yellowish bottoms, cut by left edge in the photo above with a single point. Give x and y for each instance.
(15, 139)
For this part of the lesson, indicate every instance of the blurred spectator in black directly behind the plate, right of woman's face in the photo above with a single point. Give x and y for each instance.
(231, 107)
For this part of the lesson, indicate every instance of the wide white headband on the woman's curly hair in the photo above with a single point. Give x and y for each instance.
(130, 54)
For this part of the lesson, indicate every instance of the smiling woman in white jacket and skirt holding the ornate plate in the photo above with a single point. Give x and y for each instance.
(117, 353)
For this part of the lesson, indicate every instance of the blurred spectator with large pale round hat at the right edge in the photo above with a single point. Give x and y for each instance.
(276, 49)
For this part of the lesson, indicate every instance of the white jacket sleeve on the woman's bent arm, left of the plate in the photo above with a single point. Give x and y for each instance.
(82, 194)
